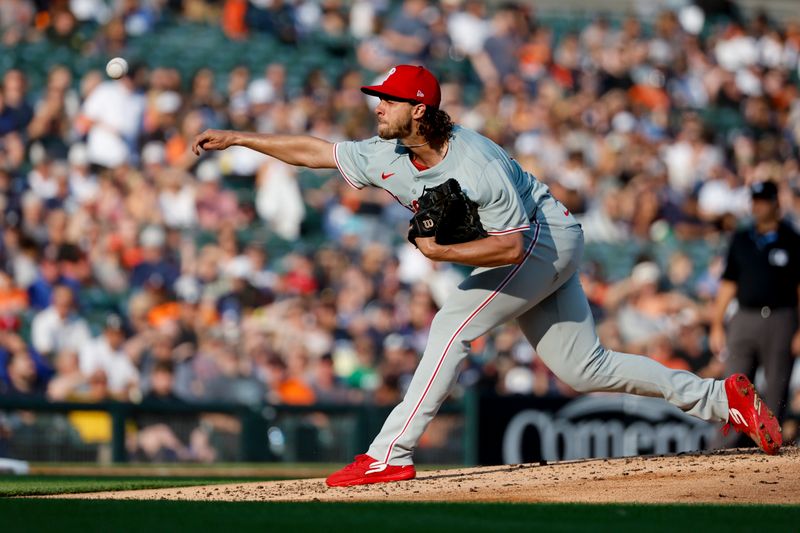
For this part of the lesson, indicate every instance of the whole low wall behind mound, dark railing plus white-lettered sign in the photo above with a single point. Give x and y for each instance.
(479, 429)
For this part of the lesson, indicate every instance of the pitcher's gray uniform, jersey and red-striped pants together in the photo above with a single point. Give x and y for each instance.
(543, 292)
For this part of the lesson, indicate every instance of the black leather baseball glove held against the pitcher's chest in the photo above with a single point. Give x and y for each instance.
(446, 213)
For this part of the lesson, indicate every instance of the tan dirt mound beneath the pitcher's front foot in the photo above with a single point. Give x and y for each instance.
(731, 476)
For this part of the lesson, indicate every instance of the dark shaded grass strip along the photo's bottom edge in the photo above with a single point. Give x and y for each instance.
(120, 516)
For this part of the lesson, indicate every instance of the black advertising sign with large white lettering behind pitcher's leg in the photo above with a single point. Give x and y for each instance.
(525, 429)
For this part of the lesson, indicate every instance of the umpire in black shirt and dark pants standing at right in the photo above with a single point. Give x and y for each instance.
(763, 275)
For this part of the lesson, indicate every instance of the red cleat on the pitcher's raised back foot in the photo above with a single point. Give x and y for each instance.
(748, 414)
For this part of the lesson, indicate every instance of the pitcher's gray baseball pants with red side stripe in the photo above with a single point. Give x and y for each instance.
(544, 294)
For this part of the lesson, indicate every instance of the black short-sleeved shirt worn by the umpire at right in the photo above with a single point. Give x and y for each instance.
(765, 267)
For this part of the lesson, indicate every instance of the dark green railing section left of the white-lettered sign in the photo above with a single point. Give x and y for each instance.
(35, 429)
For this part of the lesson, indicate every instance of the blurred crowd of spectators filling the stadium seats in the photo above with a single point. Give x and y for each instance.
(132, 269)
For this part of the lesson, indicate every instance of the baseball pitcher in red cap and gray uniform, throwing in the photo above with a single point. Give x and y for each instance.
(475, 205)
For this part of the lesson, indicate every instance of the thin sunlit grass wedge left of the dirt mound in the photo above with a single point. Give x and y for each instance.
(38, 485)
